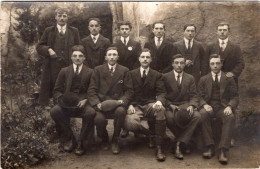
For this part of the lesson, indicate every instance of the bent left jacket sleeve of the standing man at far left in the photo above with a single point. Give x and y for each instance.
(42, 47)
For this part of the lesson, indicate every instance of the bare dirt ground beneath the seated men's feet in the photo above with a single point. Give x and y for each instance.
(135, 154)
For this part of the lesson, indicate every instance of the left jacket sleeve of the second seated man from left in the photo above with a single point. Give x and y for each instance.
(94, 88)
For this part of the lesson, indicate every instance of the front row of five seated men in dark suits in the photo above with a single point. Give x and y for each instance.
(171, 99)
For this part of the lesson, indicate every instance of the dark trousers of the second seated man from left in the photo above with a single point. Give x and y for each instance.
(100, 121)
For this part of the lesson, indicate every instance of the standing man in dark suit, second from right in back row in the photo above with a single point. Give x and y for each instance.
(192, 50)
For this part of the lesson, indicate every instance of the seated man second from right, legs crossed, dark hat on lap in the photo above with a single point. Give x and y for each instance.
(181, 102)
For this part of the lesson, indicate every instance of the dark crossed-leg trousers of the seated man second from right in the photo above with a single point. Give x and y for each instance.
(182, 126)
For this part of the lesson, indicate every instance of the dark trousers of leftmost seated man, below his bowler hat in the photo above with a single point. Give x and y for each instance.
(61, 117)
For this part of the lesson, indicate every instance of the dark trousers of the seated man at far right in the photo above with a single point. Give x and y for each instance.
(227, 125)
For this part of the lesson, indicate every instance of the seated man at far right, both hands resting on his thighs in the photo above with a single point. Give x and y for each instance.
(218, 98)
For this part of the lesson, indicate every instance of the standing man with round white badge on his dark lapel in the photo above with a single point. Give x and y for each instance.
(128, 49)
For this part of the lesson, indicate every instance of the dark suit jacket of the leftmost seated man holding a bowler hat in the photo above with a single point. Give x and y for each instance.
(64, 81)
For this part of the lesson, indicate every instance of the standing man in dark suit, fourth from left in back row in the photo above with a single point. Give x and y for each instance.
(161, 49)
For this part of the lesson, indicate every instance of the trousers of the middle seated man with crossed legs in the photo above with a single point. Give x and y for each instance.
(133, 121)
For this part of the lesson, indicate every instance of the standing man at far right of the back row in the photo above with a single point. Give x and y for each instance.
(230, 53)
